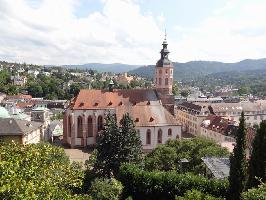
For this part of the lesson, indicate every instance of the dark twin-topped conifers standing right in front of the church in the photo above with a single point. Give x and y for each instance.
(116, 145)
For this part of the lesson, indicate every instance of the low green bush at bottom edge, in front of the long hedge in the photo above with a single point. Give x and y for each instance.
(196, 195)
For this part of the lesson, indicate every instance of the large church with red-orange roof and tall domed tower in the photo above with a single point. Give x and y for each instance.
(152, 110)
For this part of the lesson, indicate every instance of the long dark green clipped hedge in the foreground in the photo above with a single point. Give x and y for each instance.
(142, 184)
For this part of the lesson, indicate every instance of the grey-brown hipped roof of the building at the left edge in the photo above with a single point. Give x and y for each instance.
(11, 126)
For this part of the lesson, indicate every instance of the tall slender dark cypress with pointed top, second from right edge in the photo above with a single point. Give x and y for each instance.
(238, 163)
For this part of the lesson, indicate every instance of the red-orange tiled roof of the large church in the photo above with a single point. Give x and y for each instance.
(143, 105)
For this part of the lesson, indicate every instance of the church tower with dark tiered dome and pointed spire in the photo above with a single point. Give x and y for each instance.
(163, 77)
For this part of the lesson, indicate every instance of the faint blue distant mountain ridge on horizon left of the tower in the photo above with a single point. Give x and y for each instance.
(114, 67)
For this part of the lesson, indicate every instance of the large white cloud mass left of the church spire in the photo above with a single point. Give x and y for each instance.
(48, 32)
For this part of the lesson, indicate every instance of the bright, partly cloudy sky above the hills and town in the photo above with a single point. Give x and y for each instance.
(131, 31)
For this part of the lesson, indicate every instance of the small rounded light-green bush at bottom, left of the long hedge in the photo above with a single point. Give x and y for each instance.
(106, 189)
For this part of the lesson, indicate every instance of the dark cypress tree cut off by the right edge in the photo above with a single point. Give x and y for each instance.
(257, 163)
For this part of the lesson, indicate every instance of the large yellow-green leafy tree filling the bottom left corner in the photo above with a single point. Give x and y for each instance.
(37, 172)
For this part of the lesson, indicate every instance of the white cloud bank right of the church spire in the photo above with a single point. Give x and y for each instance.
(232, 33)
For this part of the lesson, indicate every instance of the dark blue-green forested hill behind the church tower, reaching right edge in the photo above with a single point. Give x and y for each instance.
(194, 69)
